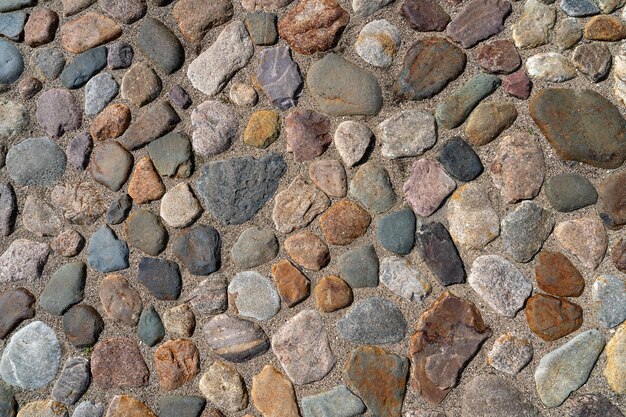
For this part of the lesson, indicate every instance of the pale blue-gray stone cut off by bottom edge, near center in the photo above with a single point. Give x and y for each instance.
(338, 402)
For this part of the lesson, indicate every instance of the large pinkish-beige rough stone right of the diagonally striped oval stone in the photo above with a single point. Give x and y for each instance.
(301, 338)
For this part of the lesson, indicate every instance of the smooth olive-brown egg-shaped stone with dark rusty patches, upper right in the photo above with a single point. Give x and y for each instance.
(429, 65)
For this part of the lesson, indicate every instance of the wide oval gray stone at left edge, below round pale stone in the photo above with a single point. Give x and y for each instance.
(36, 161)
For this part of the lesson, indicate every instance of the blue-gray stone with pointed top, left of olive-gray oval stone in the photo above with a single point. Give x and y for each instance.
(105, 252)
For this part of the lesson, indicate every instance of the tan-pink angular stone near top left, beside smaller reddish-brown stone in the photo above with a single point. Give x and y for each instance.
(87, 31)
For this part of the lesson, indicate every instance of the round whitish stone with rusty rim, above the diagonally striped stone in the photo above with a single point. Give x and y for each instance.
(254, 295)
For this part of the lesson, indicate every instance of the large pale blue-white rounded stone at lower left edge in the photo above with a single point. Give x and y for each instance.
(32, 357)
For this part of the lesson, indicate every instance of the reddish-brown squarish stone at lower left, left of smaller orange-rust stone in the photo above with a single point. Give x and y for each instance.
(117, 363)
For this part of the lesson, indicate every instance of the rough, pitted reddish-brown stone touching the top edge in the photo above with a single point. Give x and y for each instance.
(313, 25)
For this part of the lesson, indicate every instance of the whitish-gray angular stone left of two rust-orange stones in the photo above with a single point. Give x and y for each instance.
(501, 285)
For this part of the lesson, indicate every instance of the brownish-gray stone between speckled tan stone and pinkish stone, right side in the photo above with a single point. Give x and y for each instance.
(524, 230)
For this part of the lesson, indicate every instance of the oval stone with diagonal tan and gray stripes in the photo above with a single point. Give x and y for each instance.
(234, 339)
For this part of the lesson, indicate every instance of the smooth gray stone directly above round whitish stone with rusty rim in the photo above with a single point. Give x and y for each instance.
(255, 246)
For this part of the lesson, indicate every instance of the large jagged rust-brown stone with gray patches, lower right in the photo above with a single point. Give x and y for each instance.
(448, 335)
